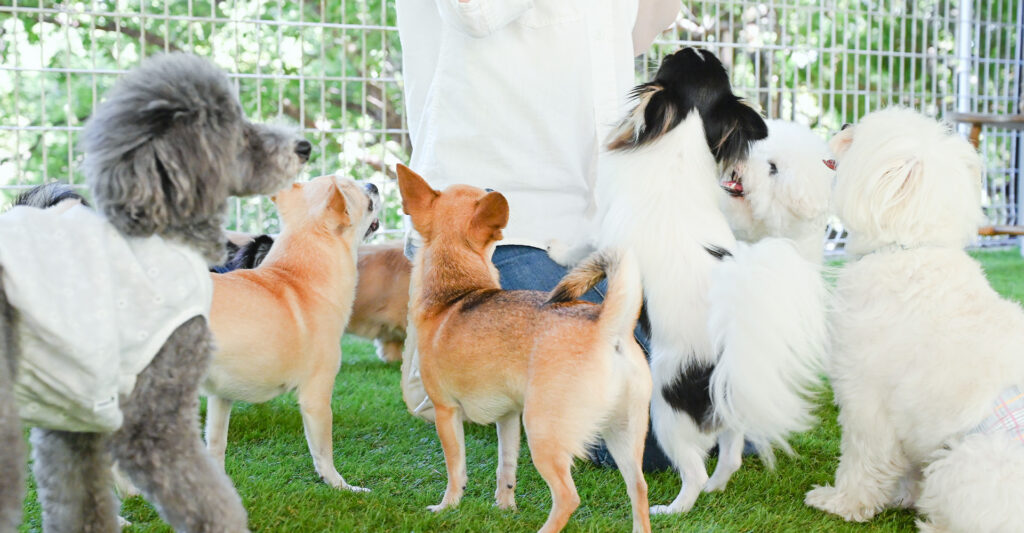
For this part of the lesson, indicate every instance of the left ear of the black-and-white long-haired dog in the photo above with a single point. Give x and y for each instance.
(655, 113)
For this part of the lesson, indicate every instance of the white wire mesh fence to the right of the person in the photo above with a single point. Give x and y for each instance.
(827, 63)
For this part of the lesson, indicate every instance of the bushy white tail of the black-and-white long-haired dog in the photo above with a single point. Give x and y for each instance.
(769, 323)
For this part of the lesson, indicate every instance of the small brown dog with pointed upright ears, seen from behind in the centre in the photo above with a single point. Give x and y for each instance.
(571, 370)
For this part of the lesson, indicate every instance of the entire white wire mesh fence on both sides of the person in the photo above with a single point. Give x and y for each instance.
(334, 70)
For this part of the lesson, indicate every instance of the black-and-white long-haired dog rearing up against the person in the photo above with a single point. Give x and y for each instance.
(738, 332)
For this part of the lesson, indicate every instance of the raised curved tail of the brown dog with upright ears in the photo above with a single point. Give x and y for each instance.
(625, 295)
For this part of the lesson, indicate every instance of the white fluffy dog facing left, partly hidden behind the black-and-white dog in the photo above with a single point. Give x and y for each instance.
(783, 190)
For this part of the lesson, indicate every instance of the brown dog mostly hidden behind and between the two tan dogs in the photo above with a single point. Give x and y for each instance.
(382, 299)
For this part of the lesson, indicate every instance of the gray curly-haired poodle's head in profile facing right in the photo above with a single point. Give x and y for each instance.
(170, 145)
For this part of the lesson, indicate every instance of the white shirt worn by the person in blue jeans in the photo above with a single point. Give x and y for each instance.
(518, 96)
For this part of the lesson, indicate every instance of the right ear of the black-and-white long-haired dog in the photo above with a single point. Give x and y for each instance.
(732, 127)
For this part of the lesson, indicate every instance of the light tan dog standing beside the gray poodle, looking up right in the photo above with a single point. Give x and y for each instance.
(278, 327)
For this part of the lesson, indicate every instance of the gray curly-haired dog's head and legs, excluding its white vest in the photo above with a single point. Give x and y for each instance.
(164, 152)
